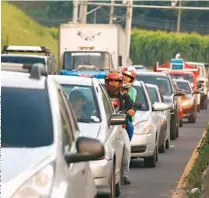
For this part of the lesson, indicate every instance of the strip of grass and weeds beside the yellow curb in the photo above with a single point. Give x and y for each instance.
(194, 178)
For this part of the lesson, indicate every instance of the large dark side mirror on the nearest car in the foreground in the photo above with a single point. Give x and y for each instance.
(88, 149)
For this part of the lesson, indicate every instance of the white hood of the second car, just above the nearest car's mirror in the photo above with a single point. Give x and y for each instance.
(89, 129)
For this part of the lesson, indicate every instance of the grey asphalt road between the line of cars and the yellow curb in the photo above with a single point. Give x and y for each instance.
(158, 182)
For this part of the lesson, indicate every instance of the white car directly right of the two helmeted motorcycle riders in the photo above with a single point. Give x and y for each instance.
(144, 143)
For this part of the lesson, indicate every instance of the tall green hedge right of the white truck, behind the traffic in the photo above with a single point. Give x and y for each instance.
(147, 47)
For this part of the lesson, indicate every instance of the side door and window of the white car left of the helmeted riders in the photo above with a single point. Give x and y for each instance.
(115, 132)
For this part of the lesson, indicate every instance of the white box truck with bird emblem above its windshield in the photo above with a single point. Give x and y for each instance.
(98, 45)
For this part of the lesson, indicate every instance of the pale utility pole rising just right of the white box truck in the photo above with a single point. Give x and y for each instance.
(129, 12)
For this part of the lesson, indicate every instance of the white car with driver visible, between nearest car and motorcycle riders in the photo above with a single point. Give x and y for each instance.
(98, 123)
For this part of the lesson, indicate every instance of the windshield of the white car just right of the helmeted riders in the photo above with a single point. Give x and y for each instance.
(141, 98)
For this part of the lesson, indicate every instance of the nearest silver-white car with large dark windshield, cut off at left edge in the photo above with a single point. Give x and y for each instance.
(42, 154)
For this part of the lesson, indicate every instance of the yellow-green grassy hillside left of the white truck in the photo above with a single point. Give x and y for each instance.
(20, 29)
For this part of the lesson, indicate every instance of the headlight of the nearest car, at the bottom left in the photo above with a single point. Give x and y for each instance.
(39, 186)
